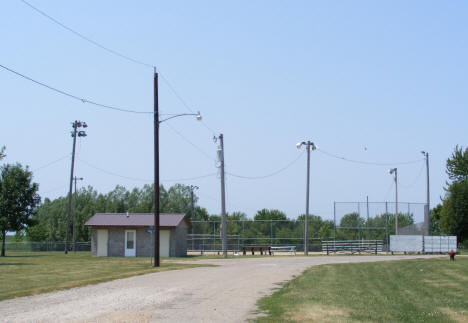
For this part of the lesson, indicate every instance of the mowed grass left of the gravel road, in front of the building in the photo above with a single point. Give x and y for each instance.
(29, 273)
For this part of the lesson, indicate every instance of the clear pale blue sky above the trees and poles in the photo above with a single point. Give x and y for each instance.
(373, 81)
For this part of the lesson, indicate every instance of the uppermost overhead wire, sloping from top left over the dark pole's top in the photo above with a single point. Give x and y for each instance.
(117, 53)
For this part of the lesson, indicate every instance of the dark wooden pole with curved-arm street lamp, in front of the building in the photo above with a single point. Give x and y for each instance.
(156, 164)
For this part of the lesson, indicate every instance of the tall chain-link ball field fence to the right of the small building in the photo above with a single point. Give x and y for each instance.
(351, 221)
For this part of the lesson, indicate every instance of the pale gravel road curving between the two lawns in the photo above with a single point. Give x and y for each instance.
(226, 293)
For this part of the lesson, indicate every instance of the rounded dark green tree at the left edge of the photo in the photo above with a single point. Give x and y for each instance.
(18, 199)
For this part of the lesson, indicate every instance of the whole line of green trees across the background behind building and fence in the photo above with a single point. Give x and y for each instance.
(21, 210)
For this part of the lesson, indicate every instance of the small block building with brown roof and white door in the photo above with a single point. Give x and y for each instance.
(130, 235)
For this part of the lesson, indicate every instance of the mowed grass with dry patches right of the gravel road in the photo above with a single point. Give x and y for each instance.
(424, 290)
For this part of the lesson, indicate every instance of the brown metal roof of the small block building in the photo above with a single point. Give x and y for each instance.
(135, 219)
